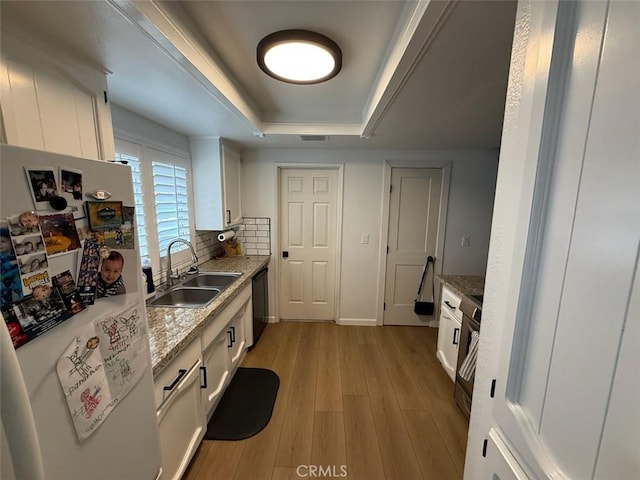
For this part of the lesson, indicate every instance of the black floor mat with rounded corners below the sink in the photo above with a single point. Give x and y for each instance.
(246, 406)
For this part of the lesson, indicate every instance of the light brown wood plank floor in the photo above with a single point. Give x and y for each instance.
(374, 399)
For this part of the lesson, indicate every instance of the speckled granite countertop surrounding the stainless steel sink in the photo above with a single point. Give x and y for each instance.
(172, 329)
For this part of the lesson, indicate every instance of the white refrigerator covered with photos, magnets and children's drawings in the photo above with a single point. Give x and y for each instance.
(41, 429)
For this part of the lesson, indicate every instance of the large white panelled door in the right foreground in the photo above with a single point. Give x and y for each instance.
(566, 401)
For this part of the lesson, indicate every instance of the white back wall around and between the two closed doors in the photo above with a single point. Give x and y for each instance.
(470, 209)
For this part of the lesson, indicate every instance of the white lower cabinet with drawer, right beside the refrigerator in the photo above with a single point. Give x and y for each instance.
(181, 418)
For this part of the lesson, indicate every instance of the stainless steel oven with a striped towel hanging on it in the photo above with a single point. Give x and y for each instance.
(471, 309)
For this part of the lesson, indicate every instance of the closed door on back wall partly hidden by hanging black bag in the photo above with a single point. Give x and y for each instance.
(414, 210)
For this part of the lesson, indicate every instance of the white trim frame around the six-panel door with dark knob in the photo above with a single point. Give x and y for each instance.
(275, 231)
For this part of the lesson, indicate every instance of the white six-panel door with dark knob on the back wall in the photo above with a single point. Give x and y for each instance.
(308, 226)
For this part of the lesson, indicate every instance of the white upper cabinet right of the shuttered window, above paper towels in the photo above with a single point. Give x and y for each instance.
(216, 184)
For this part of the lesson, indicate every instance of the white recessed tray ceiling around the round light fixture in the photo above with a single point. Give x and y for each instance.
(419, 75)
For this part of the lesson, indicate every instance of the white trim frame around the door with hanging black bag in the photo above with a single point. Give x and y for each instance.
(445, 166)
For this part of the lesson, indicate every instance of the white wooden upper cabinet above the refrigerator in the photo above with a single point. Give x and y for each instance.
(52, 105)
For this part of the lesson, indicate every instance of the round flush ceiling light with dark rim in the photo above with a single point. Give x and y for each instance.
(299, 56)
